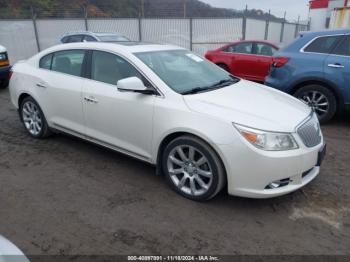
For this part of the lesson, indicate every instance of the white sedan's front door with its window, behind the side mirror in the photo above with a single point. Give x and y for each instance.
(121, 120)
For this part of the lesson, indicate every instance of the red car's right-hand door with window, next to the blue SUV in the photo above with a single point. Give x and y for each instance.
(264, 53)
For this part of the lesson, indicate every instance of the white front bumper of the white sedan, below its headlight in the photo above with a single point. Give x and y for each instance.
(250, 171)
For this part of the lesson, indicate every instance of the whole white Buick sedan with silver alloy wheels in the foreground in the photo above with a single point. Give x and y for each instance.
(203, 128)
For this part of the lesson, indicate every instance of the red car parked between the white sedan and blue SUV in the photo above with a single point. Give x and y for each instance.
(246, 59)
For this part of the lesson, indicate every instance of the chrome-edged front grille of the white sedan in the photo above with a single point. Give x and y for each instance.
(310, 132)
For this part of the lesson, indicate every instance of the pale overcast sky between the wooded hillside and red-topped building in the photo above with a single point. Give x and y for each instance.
(277, 7)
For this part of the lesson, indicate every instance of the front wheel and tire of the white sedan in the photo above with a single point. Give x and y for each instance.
(192, 168)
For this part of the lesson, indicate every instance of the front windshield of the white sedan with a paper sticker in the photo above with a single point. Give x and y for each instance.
(185, 72)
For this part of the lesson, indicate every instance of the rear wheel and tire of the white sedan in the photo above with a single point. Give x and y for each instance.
(33, 118)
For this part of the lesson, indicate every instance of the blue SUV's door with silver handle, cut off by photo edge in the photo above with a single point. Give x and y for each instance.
(337, 67)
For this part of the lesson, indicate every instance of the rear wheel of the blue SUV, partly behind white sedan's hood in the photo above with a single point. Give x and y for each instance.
(320, 99)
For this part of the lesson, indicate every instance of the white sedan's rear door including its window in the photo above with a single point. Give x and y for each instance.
(58, 84)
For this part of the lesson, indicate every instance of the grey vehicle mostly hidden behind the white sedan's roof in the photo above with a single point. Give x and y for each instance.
(86, 36)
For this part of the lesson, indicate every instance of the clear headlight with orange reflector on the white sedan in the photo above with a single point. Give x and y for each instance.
(268, 141)
